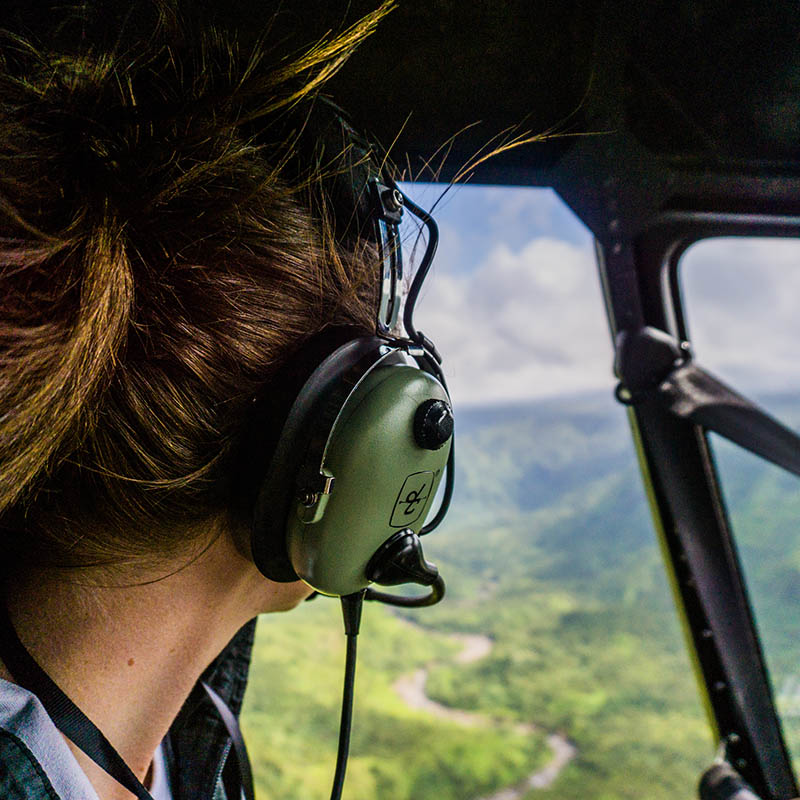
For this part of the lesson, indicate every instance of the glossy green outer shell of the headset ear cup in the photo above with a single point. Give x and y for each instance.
(386, 477)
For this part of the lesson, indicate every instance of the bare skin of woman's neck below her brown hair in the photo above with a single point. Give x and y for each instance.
(128, 656)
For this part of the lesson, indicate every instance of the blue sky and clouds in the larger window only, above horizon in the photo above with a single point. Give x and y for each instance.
(513, 300)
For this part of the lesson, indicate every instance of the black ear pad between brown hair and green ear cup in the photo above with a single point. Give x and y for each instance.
(320, 399)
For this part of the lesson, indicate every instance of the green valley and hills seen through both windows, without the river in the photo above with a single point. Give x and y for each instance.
(550, 552)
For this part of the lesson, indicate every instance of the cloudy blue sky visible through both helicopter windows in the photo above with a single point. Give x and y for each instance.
(514, 304)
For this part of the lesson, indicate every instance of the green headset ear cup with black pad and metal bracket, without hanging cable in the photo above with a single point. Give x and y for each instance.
(364, 445)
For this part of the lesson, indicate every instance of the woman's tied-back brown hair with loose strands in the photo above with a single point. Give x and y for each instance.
(164, 250)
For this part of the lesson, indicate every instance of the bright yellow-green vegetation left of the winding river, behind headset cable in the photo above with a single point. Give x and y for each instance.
(293, 706)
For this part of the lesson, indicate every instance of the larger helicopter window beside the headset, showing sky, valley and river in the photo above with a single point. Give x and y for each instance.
(556, 658)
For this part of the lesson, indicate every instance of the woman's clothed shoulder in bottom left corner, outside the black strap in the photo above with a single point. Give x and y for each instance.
(35, 762)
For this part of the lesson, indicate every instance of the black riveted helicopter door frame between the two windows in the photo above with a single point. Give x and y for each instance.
(642, 287)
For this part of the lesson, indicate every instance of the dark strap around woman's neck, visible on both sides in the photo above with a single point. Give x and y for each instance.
(76, 726)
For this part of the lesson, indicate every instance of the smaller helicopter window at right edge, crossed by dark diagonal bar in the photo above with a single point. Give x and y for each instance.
(740, 298)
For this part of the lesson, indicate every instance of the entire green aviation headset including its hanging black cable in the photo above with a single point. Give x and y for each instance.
(367, 435)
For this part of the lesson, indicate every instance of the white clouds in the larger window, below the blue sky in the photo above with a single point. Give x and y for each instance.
(522, 324)
